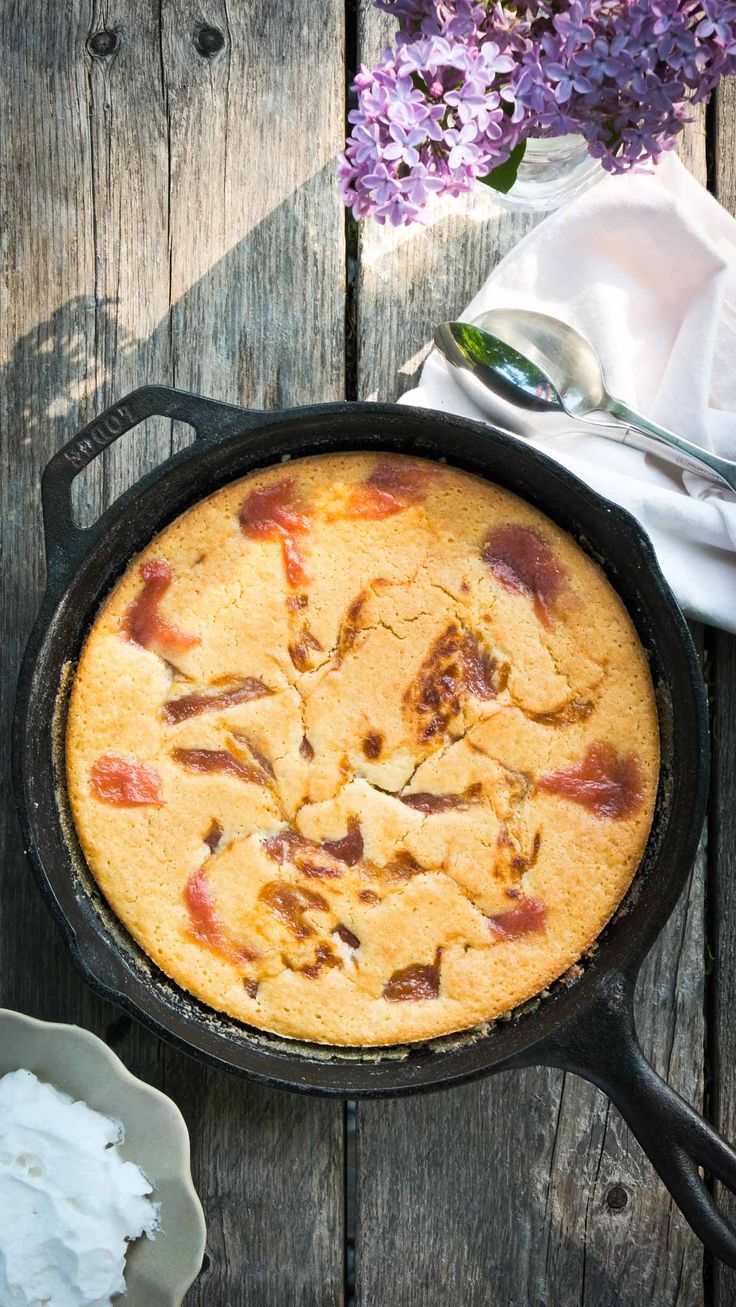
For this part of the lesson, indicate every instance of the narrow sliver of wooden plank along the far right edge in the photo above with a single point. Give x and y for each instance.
(722, 884)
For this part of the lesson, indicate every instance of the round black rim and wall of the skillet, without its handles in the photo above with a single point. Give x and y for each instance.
(295, 1065)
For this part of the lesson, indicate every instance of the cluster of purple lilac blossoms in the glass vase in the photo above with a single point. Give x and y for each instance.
(469, 80)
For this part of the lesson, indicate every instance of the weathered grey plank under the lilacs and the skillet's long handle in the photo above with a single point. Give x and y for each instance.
(525, 1189)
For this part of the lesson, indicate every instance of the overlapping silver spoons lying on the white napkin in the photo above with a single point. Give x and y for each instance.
(543, 365)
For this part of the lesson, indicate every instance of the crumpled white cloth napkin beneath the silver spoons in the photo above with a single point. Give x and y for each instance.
(646, 267)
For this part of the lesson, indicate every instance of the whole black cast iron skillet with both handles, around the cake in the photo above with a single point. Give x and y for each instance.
(586, 1027)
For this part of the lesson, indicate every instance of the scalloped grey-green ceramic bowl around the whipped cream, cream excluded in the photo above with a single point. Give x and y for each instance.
(158, 1272)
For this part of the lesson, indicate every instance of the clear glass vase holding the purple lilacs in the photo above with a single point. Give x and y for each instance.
(552, 173)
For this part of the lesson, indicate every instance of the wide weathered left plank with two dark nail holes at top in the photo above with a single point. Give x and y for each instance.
(186, 228)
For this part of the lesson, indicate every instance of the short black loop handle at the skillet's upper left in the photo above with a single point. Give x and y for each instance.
(210, 419)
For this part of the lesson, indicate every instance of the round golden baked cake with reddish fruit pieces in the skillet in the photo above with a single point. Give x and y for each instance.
(363, 750)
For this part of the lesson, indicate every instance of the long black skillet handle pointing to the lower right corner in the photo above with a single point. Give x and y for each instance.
(603, 1048)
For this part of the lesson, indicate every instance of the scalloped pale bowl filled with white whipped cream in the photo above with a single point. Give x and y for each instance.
(96, 1194)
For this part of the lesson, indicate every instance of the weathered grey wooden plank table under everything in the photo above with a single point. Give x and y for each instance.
(169, 212)
